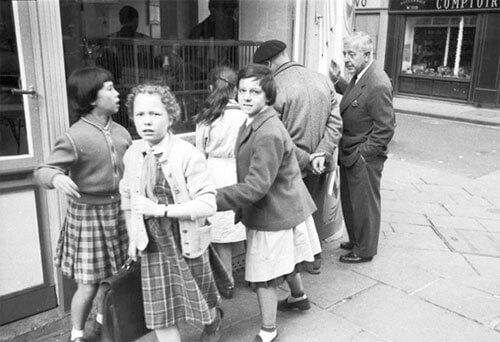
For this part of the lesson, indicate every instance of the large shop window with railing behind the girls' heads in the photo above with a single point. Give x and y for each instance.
(175, 42)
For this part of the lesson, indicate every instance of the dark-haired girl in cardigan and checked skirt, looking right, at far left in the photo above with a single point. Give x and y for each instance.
(93, 240)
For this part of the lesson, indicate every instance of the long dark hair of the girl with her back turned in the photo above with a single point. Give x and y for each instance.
(223, 81)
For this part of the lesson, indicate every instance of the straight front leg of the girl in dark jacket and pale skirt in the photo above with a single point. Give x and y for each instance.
(268, 298)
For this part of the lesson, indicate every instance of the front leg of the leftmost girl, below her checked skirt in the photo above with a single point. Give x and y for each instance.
(80, 307)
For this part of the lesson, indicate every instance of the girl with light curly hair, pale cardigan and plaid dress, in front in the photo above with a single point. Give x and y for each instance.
(167, 195)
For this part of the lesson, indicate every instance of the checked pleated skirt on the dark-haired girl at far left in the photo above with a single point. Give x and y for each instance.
(93, 243)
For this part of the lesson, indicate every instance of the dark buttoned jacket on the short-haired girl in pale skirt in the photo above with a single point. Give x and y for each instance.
(270, 194)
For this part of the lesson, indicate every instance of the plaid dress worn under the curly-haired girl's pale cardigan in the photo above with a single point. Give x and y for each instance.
(174, 288)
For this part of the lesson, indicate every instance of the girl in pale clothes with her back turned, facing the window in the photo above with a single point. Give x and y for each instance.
(216, 132)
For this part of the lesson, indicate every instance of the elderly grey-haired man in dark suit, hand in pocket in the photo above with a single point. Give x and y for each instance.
(368, 117)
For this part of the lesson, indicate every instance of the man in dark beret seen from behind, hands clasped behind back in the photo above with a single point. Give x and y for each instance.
(306, 102)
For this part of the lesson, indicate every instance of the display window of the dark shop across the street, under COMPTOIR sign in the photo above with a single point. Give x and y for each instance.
(440, 46)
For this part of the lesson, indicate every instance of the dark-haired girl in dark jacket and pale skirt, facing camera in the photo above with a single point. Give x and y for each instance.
(270, 199)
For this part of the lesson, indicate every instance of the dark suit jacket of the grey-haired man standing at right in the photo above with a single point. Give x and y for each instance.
(368, 117)
